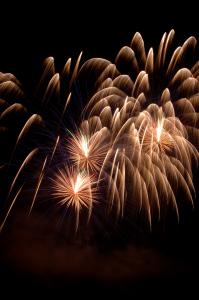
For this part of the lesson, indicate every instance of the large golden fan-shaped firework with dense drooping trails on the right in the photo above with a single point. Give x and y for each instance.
(152, 114)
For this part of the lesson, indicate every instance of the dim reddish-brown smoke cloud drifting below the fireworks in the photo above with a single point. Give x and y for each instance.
(31, 249)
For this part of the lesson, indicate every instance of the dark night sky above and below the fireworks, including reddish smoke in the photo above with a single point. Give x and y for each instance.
(34, 257)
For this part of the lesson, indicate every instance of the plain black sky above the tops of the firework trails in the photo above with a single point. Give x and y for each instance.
(31, 32)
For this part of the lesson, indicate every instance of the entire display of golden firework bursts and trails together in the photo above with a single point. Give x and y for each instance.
(129, 150)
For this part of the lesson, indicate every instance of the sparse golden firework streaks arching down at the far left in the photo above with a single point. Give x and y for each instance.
(30, 139)
